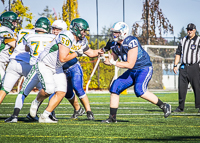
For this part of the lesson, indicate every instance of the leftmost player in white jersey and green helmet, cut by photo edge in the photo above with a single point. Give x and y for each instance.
(8, 22)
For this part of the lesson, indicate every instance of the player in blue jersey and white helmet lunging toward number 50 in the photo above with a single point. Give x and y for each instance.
(140, 70)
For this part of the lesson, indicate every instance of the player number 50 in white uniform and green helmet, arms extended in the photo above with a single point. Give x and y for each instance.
(66, 46)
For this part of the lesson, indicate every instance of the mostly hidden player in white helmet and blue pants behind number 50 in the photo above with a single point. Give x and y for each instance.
(74, 75)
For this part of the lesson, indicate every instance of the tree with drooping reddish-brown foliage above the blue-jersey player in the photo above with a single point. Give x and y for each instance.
(156, 21)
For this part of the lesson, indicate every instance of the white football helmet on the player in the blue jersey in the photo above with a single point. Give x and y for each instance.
(122, 28)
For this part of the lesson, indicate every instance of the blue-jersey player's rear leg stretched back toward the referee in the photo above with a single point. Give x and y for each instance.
(142, 78)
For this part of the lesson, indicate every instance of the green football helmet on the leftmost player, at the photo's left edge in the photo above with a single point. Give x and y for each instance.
(7, 18)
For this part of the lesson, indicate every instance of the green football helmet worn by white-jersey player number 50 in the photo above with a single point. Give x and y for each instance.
(77, 25)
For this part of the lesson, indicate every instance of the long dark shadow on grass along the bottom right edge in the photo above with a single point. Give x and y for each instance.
(175, 138)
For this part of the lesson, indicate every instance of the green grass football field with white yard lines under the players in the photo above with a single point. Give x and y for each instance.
(138, 121)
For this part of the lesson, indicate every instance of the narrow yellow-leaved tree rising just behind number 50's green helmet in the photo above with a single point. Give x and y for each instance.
(70, 11)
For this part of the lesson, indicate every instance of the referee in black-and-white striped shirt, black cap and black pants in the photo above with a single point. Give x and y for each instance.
(189, 71)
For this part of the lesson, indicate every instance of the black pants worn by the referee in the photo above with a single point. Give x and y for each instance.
(189, 74)
